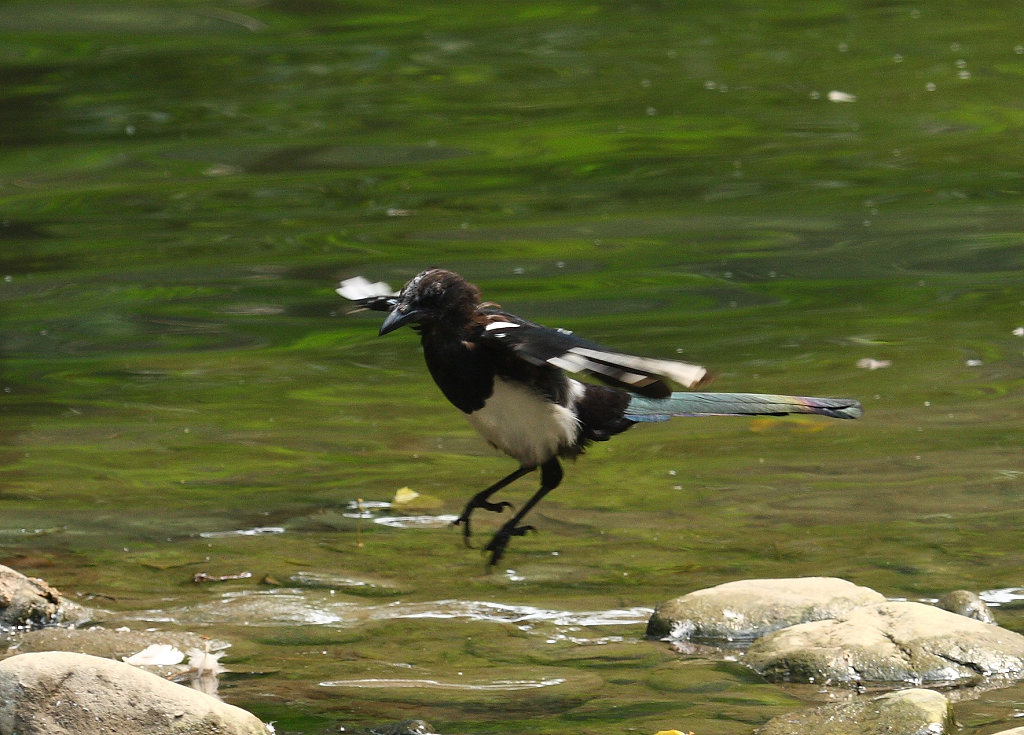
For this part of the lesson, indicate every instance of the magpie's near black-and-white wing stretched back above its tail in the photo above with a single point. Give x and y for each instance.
(538, 344)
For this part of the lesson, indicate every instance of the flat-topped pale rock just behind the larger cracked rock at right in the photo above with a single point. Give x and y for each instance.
(750, 609)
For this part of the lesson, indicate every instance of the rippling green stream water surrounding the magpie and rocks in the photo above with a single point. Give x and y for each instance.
(182, 186)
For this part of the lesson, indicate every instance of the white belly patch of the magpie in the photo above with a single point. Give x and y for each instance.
(524, 425)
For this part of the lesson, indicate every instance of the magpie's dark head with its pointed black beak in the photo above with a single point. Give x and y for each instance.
(434, 296)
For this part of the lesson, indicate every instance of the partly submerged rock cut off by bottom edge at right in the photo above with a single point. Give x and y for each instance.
(911, 712)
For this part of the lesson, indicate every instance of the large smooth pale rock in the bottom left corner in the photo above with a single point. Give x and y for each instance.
(76, 695)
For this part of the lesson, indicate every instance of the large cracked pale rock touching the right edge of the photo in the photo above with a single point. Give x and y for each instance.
(890, 642)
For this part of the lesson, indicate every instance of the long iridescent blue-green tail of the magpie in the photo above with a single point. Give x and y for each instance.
(642, 409)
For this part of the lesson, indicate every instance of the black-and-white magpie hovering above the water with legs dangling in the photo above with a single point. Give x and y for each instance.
(508, 376)
